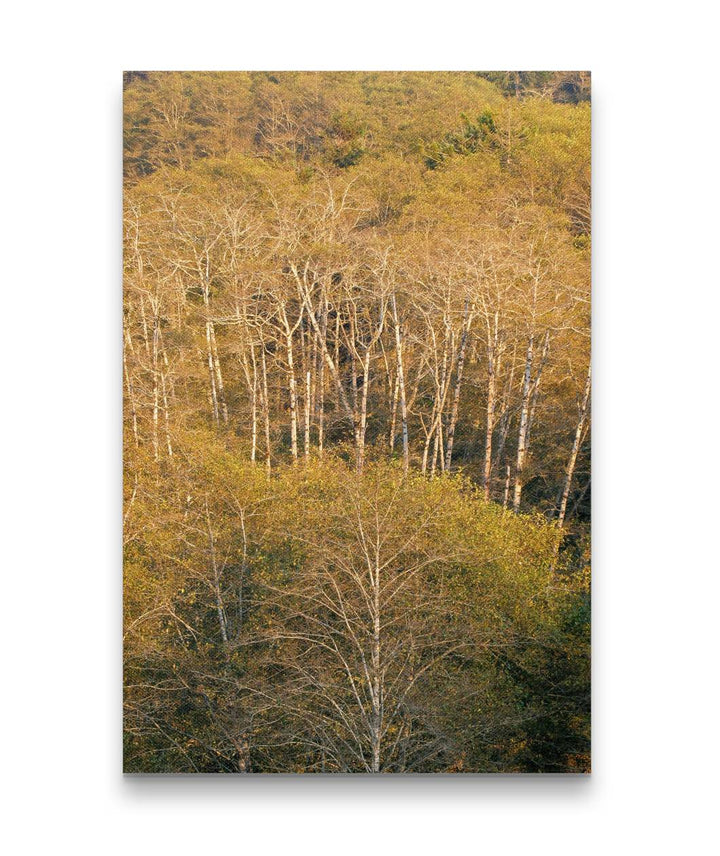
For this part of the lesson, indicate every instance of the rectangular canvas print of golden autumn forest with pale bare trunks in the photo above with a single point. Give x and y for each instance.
(356, 376)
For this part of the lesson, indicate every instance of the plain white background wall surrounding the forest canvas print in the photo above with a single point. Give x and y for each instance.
(655, 433)
